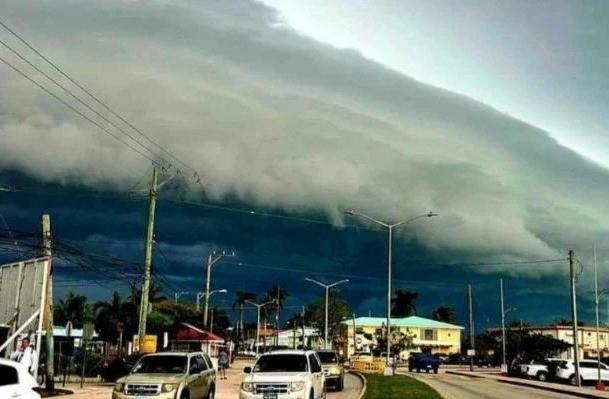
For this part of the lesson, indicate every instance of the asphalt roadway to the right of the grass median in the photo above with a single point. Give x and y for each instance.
(459, 387)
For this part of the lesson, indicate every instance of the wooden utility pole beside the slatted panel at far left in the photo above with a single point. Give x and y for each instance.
(48, 308)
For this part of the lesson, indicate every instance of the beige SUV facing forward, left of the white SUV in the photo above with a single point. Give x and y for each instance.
(169, 375)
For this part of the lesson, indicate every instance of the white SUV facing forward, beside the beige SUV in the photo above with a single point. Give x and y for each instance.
(286, 374)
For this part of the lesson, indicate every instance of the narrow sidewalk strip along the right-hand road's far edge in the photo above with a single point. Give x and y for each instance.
(589, 392)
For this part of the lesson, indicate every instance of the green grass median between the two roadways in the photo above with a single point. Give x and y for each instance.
(399, 386)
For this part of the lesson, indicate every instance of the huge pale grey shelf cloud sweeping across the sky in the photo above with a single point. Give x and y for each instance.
(280, 120)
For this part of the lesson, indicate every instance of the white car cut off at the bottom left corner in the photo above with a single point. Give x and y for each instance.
(16, 382)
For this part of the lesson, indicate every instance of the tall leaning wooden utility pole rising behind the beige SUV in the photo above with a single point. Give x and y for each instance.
(141, 331)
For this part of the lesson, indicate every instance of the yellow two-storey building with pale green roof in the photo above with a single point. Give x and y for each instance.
(428, 335)
